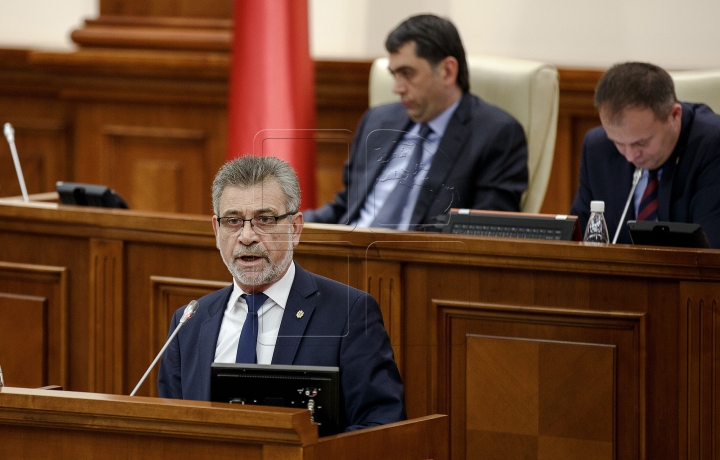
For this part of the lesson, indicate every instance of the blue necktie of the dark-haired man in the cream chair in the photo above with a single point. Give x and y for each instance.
(391, 212)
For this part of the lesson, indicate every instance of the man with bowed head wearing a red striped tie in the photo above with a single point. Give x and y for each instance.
(676, 145)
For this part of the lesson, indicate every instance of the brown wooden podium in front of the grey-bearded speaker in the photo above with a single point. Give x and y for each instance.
(56, 424)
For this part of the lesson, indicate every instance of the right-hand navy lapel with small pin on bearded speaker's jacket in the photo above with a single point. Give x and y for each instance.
(298, 311)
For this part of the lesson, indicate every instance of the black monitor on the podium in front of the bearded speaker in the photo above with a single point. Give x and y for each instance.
(312, 387)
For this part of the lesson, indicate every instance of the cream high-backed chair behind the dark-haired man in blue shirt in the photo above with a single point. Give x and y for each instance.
(528, 90)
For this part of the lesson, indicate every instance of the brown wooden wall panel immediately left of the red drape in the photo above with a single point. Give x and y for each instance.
(164, 159)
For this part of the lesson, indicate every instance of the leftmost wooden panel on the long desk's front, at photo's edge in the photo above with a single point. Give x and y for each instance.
(34, 324)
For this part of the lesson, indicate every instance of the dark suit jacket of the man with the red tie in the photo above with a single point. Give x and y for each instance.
(689, 189)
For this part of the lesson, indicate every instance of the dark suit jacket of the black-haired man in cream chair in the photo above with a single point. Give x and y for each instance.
(481, 163)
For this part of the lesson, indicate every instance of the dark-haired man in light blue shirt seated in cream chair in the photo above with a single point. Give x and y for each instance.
(439, 148)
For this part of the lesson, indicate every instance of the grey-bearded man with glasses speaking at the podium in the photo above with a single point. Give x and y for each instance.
(297, 317)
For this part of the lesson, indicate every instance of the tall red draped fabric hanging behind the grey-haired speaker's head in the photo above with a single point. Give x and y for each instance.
(271, 110)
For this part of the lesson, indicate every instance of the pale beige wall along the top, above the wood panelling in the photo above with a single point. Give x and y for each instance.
(581, 33)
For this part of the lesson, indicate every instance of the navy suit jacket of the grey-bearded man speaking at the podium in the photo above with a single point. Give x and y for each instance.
(341, 327)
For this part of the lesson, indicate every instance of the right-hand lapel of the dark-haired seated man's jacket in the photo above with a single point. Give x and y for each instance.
(446, 157)
